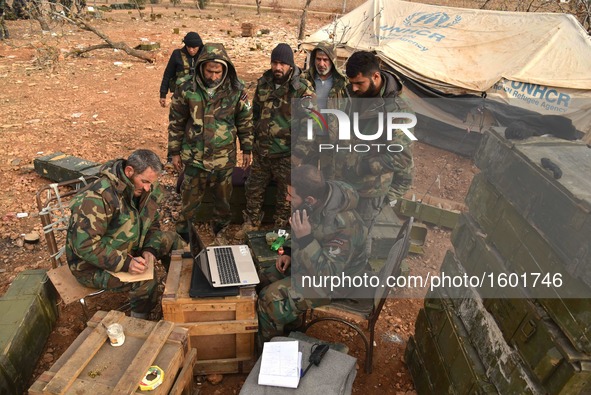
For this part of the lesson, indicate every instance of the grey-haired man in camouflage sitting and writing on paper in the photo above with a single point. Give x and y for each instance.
(114, 219)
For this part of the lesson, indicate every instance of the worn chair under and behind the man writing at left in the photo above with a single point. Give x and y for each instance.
(53, 204)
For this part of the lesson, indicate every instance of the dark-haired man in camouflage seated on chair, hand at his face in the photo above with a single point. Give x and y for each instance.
(329, 240)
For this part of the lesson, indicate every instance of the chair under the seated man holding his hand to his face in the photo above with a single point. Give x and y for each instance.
(347, 310)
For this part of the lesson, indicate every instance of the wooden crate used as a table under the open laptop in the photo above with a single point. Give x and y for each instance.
(222, 329)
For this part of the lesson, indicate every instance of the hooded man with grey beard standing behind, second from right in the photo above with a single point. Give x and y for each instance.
(330, 87)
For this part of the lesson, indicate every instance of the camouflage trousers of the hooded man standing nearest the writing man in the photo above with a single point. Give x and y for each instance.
(192, 191)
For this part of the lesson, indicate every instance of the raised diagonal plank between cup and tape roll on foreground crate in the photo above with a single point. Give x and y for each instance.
(144, 358)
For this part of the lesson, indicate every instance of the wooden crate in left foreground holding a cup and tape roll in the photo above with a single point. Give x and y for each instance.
(92, 366)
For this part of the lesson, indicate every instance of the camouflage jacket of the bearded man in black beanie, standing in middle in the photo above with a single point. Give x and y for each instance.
(272, 113)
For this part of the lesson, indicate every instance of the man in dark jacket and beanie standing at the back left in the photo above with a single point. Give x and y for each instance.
(181, 63)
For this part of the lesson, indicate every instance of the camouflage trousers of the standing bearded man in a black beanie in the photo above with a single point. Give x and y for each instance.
(262, 171)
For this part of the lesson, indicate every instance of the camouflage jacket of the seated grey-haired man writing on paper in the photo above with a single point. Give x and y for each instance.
(107, 222)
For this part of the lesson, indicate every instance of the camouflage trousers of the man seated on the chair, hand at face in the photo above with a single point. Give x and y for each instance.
(280, 305)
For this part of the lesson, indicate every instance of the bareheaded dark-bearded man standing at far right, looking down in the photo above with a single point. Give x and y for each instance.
(375, 174)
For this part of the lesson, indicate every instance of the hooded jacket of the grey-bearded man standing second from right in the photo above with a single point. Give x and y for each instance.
(338, 95)
